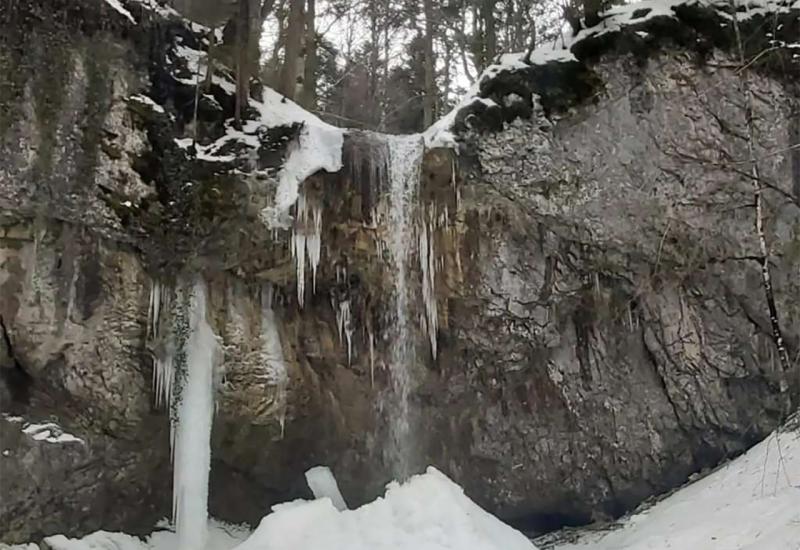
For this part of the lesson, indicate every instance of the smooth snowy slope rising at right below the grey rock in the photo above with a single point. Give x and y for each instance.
(751, 503)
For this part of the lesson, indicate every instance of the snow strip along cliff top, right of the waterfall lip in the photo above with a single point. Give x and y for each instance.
(440, 133)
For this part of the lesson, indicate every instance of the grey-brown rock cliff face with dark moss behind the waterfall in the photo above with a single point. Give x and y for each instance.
(600, 328)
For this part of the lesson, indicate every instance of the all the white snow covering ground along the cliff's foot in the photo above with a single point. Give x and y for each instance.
(751, 503)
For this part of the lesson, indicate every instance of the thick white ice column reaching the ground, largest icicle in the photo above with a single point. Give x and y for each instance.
(191, 430)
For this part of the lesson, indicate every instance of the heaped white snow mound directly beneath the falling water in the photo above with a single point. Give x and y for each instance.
(428, 512)
